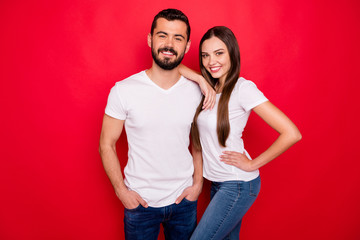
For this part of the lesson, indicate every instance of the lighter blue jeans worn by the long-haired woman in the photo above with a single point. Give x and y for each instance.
(230, 201)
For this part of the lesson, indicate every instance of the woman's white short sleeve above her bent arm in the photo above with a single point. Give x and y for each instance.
(250, 96)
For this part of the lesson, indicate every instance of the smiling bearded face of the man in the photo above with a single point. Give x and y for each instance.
(168, 43)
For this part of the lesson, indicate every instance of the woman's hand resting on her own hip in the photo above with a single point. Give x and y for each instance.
(237, 159)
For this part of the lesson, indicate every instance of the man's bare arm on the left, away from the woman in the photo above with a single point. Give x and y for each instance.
(110, 133)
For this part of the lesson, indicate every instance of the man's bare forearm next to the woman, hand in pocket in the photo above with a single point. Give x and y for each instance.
(192, 193)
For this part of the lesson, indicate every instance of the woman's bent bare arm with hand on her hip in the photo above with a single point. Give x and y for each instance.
(289, 135)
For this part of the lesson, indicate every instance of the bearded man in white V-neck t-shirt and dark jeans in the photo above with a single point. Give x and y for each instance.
(162, 180)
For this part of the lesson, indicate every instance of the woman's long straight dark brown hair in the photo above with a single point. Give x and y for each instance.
(223, 125)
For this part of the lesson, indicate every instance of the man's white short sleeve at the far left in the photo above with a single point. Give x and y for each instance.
(115, 107)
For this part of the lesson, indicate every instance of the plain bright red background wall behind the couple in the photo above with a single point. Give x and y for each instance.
(59, 60)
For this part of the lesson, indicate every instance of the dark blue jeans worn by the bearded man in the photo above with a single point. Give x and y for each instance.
(178, 220)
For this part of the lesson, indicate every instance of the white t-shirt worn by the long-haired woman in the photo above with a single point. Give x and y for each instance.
(244, 97)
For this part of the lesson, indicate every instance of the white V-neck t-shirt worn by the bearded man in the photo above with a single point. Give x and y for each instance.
(157, 124)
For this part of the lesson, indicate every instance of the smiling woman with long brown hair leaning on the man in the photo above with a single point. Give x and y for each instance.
(218, 133)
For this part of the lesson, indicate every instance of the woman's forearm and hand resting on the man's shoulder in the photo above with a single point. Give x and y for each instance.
(206, 89)
